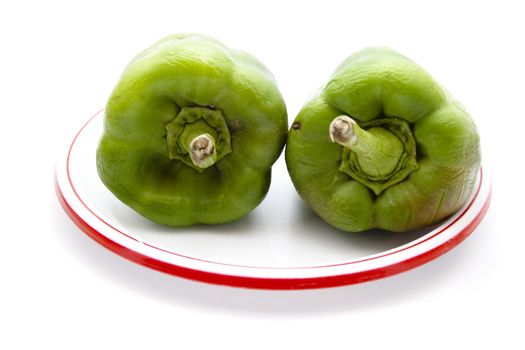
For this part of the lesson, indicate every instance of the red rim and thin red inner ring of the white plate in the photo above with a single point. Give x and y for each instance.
(268, 282)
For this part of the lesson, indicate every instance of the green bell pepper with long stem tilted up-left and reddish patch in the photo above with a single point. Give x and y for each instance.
(382, 145)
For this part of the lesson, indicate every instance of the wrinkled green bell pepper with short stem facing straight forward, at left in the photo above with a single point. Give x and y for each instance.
(191, 131)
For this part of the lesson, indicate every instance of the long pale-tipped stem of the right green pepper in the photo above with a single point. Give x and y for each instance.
(378, 150)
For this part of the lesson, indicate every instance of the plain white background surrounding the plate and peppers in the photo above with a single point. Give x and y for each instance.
(58, 64)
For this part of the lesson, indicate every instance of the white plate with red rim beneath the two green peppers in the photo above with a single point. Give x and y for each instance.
(280, 245)
